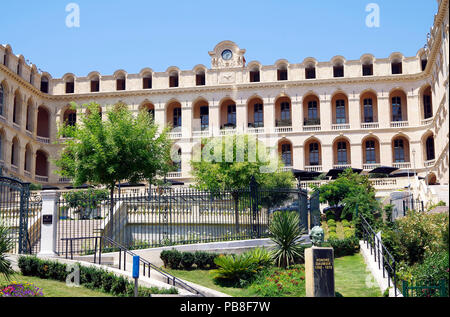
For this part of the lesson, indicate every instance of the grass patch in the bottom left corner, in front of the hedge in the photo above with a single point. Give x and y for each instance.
(52, 288)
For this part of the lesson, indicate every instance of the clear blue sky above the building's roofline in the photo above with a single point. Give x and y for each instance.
(134, 34)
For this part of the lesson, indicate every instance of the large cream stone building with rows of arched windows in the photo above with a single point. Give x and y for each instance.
(320, 115)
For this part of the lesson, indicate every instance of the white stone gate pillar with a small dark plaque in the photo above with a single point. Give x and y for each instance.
(49, 223)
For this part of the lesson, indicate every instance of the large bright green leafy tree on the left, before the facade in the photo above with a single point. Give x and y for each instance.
(121, 147)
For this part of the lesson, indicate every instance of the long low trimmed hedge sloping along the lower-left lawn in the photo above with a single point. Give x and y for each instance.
(90, 277)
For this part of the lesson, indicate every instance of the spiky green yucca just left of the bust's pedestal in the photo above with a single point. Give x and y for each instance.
(285, 232)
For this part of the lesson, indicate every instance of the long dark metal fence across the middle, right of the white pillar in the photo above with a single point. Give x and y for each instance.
(169, 216)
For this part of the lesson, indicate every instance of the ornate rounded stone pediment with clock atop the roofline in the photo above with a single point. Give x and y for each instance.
(227, 54)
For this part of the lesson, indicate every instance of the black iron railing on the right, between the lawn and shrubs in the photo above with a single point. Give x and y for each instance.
(382, 256)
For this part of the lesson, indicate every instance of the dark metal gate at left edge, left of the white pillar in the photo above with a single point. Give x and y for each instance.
(21, 216)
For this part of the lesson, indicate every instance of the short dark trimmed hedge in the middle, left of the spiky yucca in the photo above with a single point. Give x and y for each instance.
(175, 259)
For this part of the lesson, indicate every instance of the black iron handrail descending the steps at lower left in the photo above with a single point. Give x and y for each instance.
(107, 244)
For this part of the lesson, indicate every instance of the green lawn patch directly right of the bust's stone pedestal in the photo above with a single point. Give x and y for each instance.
(351, 276)
